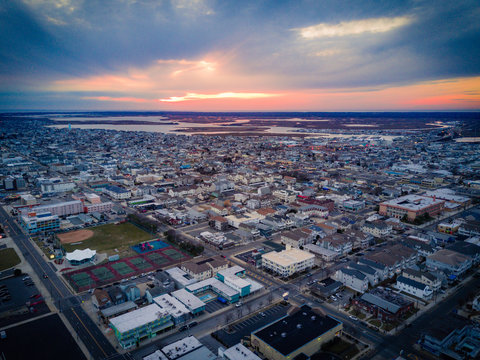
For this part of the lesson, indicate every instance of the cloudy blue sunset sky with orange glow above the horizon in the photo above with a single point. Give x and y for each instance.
(201, 55)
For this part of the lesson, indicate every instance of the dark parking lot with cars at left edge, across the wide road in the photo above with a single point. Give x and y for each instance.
(16, 292)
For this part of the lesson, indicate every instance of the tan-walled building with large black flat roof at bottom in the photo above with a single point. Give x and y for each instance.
(303, 332)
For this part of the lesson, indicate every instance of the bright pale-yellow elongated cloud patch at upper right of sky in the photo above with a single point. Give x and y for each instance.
(356, 27)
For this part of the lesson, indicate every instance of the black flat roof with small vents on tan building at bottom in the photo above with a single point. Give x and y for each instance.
(294, 331)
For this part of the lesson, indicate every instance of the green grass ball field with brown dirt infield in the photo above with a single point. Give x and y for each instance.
(109, 237)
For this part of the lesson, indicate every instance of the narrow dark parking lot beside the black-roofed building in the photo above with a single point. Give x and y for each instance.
(244, 328)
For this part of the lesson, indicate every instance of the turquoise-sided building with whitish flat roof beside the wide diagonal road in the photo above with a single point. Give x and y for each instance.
(141, 324)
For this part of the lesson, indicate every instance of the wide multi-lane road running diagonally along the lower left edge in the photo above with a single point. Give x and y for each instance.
(97, 344)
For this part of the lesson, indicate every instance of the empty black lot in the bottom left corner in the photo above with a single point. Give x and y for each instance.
(31, 341)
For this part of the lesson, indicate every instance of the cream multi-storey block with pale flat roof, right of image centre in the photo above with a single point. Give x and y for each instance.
(288, 262)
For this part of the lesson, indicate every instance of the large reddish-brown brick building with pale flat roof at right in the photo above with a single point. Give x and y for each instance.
(411, 206)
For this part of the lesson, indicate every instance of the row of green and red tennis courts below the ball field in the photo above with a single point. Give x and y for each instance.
(110, 272)
